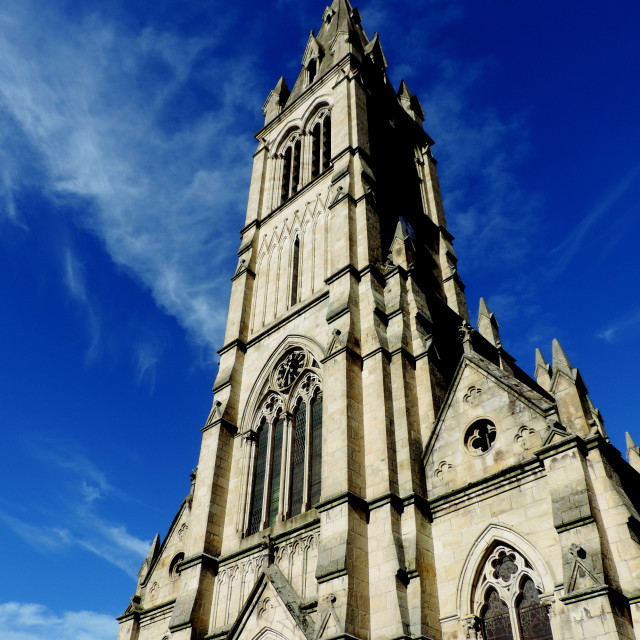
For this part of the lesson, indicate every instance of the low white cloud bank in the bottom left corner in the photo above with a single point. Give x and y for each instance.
(30, 621)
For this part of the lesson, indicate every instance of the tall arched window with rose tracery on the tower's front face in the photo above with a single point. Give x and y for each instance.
(285, 446)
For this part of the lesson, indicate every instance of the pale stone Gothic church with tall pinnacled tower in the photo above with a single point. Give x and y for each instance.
(373, 467)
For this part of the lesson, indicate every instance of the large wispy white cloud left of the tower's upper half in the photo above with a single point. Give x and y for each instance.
(160, 182)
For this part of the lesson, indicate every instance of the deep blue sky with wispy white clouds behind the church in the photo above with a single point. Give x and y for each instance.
(126, 134)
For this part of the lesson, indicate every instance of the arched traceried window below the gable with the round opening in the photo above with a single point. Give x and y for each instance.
(508, 599)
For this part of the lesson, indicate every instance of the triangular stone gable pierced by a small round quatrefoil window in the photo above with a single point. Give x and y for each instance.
(489, 421)
